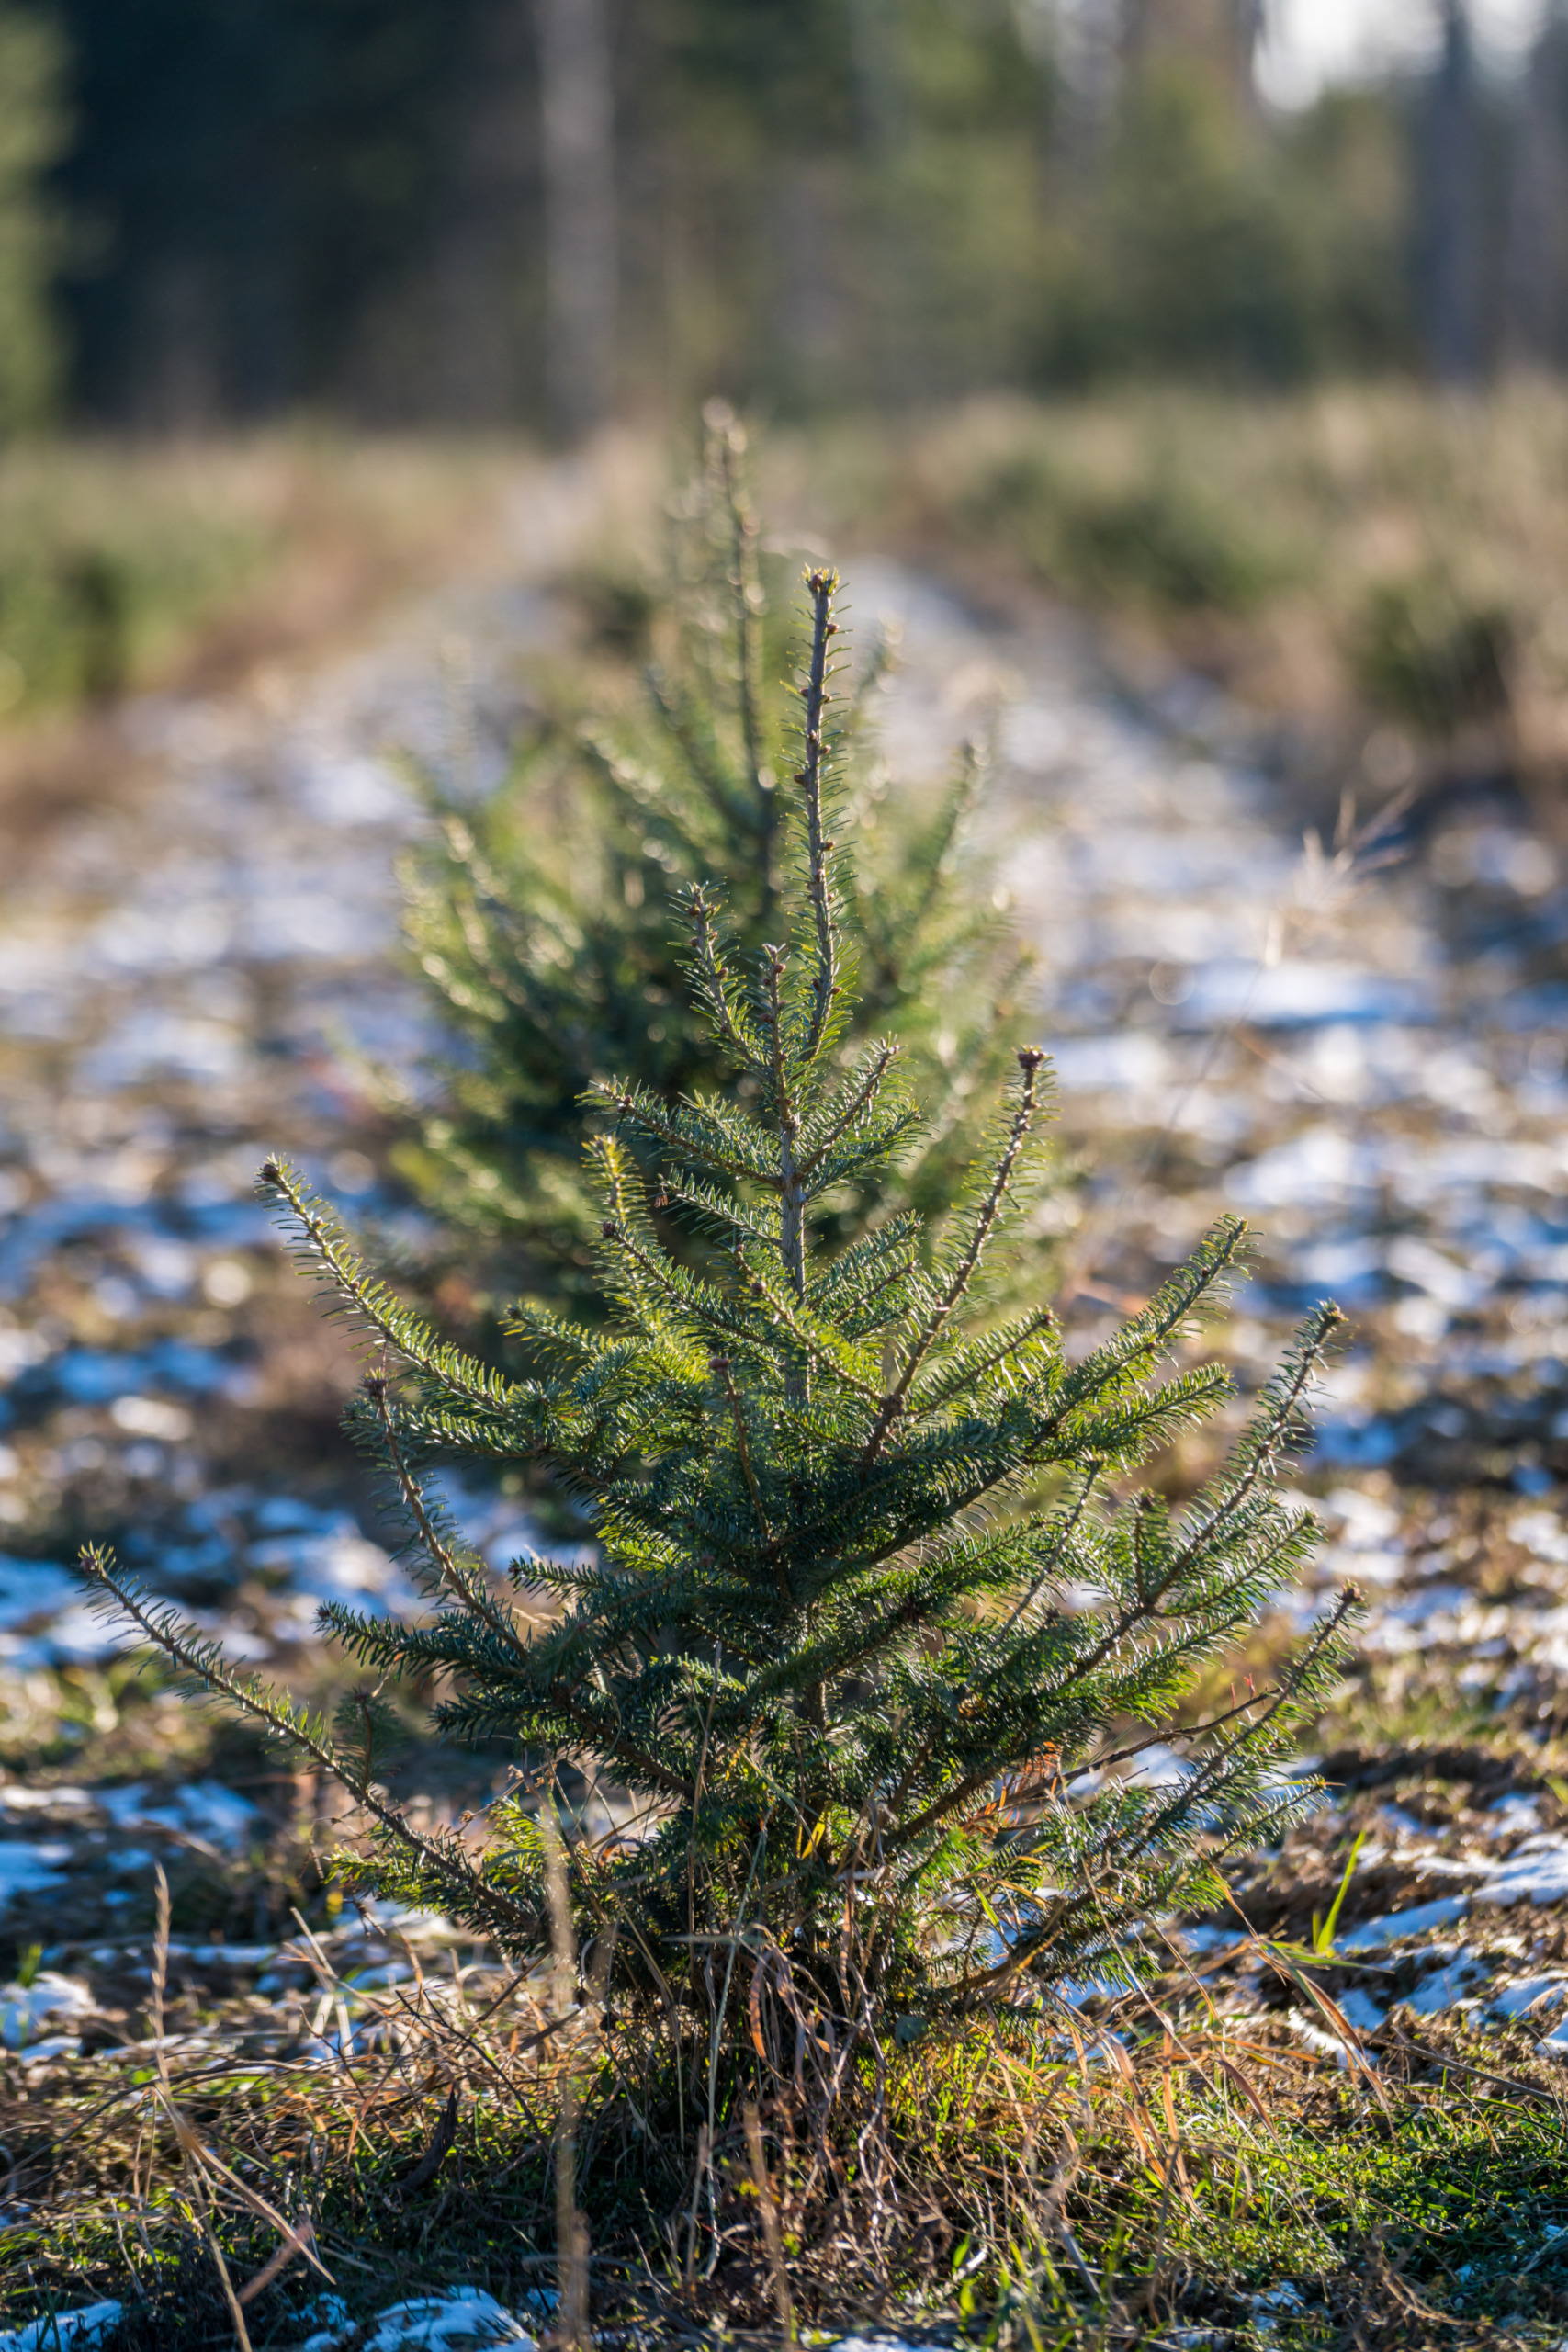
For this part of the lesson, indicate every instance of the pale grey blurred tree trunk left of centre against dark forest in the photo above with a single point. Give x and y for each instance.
(579, 173)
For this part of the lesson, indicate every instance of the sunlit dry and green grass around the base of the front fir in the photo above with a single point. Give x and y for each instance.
(1148, 2172)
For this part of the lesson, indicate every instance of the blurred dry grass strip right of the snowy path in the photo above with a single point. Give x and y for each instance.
(1348, 561)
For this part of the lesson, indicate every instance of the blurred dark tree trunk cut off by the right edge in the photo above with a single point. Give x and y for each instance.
(1536, 260)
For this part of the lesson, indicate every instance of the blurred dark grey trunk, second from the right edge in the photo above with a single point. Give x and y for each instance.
(1449, 211)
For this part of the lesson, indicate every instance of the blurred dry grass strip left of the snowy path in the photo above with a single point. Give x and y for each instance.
(201, 568)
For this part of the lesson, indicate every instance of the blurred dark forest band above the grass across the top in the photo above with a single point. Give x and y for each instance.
(540, 213)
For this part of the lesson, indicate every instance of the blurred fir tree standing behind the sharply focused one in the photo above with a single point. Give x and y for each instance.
(549, 921)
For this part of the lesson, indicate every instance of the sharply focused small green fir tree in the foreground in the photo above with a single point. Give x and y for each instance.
(878, 1608)
